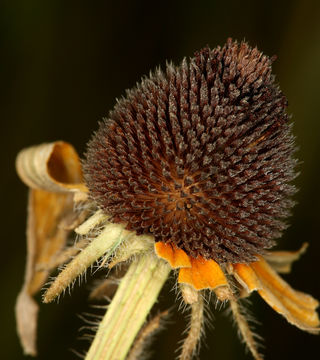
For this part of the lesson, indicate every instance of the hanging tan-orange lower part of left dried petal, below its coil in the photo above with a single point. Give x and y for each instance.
(45, 239)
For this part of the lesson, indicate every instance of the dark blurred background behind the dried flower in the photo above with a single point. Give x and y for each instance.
(63, 64)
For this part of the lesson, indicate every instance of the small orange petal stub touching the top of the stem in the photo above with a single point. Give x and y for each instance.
(176, 257)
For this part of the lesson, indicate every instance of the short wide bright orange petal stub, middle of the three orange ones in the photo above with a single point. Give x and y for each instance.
(203, 274)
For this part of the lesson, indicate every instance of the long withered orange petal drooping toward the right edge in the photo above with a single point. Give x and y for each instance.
(298, 308)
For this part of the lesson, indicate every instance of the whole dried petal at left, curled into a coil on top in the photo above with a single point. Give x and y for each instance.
(53, 172)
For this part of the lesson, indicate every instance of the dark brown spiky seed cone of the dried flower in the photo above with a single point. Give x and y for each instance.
(200, 156)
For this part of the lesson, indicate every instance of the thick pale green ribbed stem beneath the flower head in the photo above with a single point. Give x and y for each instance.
(129, 308)
